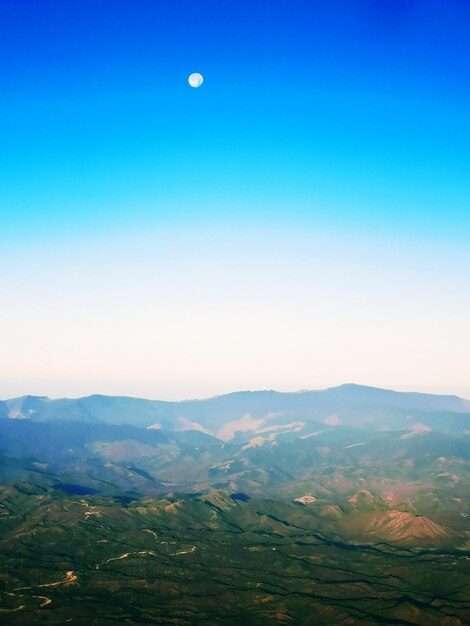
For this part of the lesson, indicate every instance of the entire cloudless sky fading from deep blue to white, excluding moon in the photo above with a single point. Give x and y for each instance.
(325, 159)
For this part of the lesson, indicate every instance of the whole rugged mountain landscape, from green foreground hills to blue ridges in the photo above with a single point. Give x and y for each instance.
(352, 503)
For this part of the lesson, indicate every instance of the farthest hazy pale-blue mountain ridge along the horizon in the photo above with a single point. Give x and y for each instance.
(239, 415)
